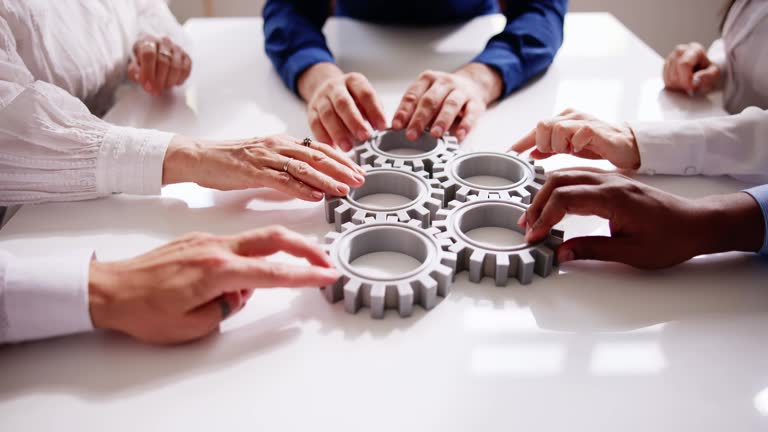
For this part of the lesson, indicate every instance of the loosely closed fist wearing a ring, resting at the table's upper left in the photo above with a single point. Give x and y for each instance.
(158, 64)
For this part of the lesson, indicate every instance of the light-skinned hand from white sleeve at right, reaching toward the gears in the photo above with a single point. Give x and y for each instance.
(582, 135)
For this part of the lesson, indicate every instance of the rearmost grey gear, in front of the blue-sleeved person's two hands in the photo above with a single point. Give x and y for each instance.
(423, 153)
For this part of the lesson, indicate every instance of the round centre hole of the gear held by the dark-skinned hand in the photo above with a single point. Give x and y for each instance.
(494, 225)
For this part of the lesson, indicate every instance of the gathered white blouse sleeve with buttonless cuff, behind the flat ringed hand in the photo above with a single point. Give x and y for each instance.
(53, 149)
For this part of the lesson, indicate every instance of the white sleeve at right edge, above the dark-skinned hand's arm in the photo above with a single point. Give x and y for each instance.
(735, 145)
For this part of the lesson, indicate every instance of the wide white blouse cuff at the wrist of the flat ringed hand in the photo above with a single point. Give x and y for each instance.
(131, 161)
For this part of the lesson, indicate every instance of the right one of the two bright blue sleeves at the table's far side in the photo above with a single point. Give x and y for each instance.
(529, 42)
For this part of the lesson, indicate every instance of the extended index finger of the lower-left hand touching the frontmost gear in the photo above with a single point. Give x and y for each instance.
(267, 241)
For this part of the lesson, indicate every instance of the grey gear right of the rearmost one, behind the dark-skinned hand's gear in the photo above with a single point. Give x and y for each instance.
(525, 178)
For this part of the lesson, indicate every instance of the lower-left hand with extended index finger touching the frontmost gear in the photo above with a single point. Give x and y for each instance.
(184, 289)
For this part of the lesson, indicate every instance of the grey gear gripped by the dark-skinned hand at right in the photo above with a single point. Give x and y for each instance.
(483, 259)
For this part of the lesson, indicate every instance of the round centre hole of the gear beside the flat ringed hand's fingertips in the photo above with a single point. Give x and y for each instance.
(387, 190)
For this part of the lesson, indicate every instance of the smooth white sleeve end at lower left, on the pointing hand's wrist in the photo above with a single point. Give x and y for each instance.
(37, 304)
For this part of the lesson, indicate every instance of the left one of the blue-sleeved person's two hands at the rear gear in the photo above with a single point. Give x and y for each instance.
(339, 105)
